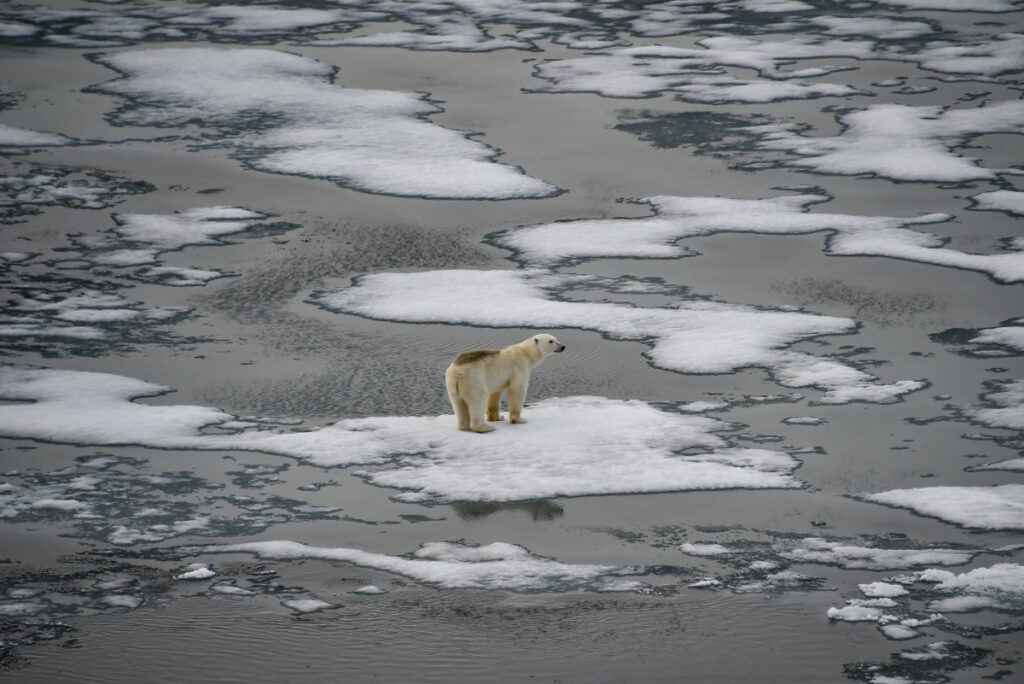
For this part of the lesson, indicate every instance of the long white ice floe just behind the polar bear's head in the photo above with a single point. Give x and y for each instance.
(689, 337)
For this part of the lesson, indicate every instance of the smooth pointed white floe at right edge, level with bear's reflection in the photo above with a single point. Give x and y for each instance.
(1000, 507)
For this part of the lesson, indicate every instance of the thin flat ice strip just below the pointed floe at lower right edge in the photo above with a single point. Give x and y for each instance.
(817, 550)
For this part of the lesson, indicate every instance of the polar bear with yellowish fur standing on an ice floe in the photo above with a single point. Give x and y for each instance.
(476, 380)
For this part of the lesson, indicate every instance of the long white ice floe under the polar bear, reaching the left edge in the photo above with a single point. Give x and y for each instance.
(572, 447)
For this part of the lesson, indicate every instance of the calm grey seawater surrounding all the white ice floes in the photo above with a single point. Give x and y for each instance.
(254, 346)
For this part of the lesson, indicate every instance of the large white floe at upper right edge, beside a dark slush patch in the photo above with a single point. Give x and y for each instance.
(899, 142)
